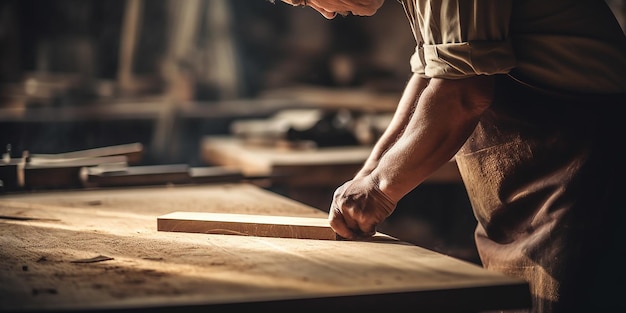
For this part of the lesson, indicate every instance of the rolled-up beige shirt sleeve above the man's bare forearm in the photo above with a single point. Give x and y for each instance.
(462, 38)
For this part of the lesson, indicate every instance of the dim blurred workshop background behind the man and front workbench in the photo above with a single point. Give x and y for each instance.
(171, 75)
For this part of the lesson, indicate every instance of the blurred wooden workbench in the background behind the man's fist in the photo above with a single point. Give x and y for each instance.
(306, 175)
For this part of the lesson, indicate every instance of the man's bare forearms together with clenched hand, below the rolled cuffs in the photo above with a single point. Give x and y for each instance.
(445, 114)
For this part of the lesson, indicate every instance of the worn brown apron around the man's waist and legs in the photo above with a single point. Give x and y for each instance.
(544, 174)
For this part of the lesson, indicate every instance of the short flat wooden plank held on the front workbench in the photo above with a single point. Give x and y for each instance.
(247, 225)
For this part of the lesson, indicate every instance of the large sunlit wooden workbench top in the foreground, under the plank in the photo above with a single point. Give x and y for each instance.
(100, 250)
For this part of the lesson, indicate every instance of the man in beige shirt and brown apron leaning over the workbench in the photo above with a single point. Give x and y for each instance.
(525, 95)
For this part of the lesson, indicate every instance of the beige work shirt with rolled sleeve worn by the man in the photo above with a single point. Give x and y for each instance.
(562, 45)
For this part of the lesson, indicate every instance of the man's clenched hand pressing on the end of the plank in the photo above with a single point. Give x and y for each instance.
(358, 206)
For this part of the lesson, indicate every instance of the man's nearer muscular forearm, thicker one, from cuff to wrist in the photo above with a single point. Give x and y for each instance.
(446, 114)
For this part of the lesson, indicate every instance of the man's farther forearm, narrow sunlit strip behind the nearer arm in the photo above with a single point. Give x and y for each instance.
(401, 117)
